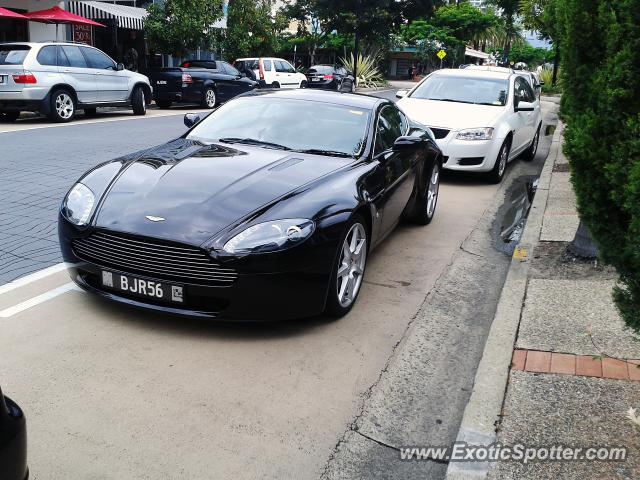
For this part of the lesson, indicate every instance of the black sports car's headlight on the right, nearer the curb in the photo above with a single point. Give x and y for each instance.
(271, 236)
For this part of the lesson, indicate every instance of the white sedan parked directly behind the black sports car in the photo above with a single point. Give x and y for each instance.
(481, 119)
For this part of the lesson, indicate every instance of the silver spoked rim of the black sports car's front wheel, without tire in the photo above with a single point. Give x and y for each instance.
(351, 265)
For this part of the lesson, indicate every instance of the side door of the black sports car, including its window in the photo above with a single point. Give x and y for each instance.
(399, 174)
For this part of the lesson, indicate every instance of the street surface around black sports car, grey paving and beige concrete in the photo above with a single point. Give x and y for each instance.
(112, 392)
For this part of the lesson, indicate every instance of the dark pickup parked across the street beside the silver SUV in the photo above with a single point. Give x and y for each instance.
(205, 82)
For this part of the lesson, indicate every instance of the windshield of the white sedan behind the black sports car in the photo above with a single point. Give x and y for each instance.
(464, 89)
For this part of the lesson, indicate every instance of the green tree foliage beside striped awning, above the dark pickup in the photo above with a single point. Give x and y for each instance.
(178, 26)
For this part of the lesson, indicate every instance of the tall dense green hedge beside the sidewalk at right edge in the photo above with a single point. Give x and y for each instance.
(601, 106)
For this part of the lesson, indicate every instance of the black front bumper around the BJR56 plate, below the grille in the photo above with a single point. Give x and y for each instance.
(283, 287)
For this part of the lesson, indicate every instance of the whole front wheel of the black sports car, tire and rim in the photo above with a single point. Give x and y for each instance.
(348, 271)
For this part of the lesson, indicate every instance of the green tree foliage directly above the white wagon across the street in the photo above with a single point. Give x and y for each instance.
(251, 29)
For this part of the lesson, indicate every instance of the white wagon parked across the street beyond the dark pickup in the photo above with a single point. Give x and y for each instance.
(272, 72)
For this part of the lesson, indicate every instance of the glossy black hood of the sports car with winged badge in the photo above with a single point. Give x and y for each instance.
(199, 190)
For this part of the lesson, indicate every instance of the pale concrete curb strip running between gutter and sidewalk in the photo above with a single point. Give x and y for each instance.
(482, 413)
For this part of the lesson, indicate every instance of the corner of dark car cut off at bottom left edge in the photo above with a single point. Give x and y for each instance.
(13, 441)
